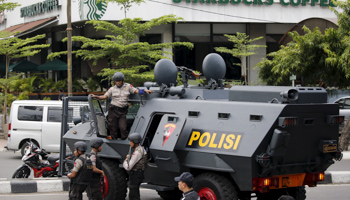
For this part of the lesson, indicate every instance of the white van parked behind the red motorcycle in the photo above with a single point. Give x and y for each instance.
(39, 120)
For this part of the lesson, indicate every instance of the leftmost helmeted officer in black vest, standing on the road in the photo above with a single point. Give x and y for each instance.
(82, 172)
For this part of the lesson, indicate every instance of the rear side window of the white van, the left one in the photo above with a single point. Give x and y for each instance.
(30, 113)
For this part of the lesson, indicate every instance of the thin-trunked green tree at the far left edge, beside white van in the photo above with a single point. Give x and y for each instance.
(13, 47)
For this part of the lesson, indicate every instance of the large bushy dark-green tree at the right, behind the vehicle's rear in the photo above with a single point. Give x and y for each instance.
(312, 57)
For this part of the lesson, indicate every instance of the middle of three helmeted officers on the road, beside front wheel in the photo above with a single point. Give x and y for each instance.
(94, 189)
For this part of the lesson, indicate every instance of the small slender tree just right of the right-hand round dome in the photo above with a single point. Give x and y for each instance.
(242, 47)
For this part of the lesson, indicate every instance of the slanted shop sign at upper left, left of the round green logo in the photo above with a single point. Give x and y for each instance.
(39, 8)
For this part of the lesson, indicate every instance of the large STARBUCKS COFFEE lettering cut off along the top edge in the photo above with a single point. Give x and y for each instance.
(322, 3)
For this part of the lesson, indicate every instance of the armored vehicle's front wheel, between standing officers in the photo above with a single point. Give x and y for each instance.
(115, 181)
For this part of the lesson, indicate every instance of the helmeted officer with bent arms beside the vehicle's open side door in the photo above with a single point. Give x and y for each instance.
(136, 165)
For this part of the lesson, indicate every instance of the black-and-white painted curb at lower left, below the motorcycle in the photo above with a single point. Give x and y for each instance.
(33, 186)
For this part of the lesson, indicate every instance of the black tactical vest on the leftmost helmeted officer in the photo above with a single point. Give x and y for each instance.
(84, 174)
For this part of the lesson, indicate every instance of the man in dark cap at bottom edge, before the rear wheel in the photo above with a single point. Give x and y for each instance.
(185, 184)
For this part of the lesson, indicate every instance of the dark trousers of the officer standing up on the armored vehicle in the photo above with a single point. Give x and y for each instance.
(117, 119)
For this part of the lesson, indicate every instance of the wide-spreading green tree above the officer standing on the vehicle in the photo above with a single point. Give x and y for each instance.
(121, 48)
